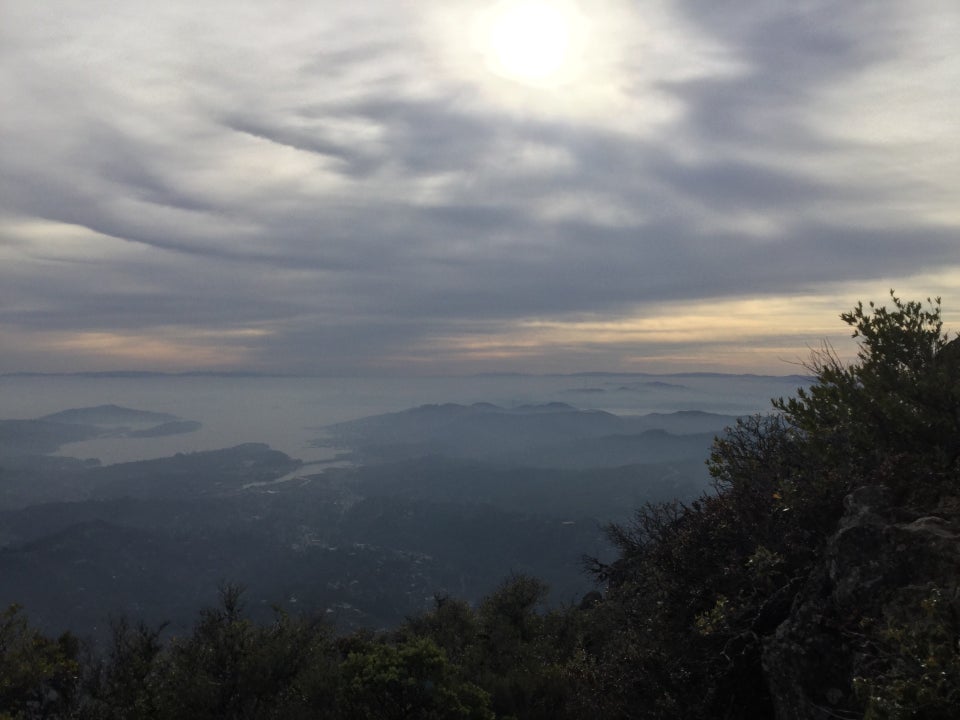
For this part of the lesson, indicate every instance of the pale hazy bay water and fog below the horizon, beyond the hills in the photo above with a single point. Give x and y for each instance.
(288, 412)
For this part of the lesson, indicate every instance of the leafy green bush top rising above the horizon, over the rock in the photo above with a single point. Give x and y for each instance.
(897, 406)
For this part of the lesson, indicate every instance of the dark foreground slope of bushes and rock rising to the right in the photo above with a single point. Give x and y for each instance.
(820, 578)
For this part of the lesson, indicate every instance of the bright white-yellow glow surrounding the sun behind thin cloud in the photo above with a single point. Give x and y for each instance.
(573, 61)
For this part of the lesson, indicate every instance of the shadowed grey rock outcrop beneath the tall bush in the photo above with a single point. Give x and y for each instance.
(878, 568)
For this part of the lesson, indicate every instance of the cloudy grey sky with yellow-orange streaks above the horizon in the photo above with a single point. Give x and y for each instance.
(420, 187)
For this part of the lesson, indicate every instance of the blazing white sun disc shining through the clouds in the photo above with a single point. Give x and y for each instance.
(530, 42)
